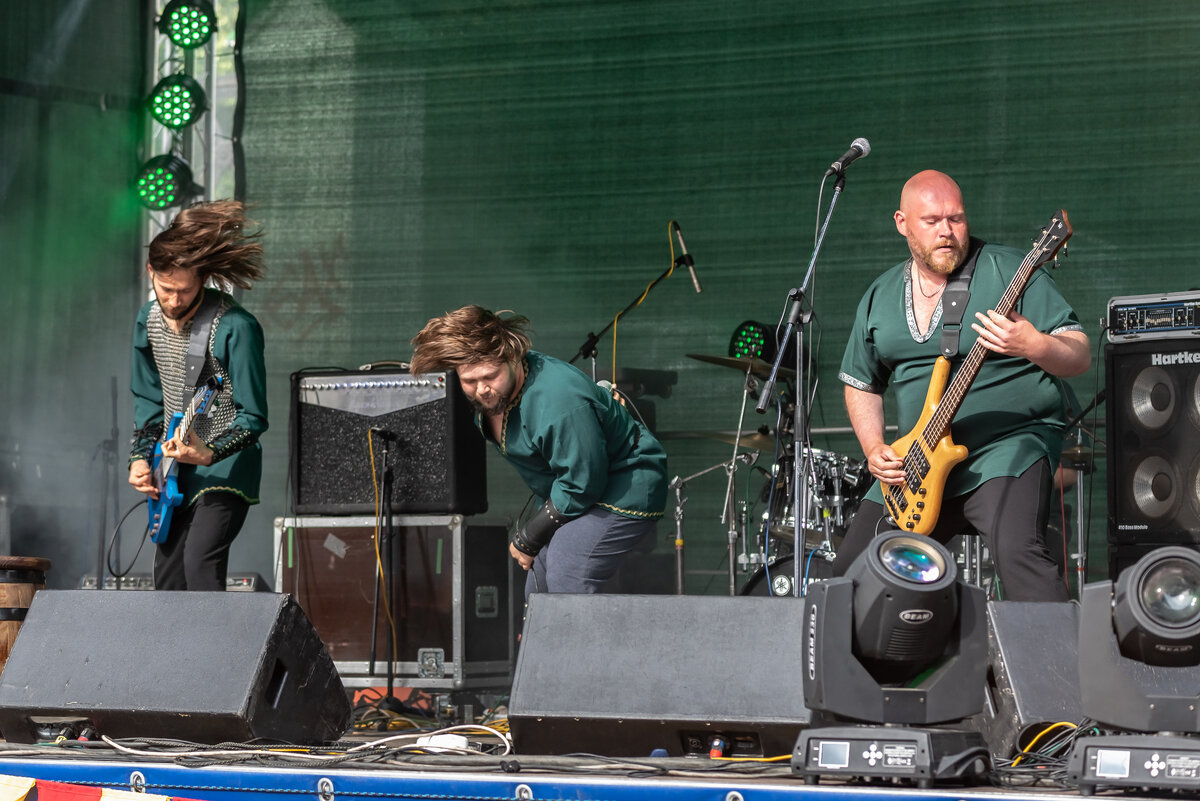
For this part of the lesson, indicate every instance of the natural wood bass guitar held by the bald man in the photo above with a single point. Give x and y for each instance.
(928, 451)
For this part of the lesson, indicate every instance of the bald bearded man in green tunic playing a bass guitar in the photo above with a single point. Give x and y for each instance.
(1011, 419)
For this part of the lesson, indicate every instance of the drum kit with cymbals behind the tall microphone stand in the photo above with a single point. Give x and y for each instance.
(808, 519)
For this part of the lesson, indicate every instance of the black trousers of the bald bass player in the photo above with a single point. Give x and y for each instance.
(1011, 516)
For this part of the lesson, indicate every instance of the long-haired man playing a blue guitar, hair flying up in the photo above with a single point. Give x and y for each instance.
(193, 326)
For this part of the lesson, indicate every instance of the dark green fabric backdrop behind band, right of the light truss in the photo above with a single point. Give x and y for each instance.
(411, 158)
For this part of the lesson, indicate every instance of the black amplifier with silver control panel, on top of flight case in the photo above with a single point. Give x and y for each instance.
(343, 423)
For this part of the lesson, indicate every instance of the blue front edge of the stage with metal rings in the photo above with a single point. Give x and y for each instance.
(467, 779)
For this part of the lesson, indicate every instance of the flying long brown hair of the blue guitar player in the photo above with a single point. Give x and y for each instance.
(212, 239)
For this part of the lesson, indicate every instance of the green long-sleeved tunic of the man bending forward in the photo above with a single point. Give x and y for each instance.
(578, 447)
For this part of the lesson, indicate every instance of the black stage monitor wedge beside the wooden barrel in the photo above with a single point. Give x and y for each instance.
(202, 667)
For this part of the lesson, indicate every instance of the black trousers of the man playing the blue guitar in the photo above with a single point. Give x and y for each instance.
(196, 553)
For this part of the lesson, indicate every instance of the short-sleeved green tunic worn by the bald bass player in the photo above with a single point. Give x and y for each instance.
(1012, 417)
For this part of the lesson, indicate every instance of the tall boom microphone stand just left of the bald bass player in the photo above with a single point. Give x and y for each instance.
(797, 321)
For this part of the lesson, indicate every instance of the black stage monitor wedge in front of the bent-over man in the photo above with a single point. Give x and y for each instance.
(622, 676)
